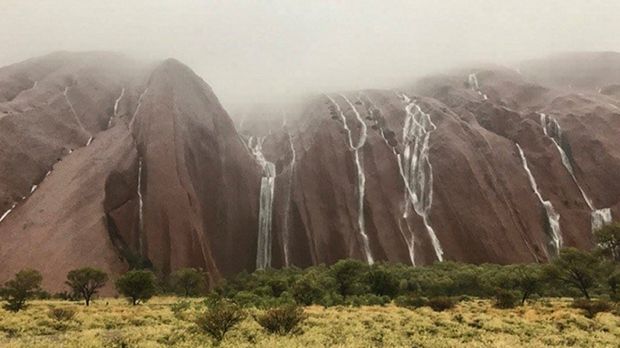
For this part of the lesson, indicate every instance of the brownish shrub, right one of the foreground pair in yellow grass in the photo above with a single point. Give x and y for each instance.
(282, 320)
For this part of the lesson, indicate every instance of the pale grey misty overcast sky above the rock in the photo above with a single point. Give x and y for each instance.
(259, 50)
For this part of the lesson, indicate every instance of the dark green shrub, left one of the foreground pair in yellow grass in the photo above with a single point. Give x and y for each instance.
(220, 318)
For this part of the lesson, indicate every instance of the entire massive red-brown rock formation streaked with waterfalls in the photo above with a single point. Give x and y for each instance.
(147, 169)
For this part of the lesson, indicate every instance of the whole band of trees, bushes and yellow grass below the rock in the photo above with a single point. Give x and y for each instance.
(571, 301)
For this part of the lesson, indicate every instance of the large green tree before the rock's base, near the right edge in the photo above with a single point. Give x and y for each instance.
(576, 268)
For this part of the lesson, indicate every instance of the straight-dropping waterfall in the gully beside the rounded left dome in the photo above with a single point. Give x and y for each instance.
(265, 213)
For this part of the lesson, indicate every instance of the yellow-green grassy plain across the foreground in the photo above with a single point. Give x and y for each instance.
(168, 321)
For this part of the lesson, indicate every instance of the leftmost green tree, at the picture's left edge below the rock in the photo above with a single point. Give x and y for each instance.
(25, 285)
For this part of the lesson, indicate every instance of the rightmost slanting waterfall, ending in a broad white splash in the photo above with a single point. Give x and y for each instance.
(552, 130)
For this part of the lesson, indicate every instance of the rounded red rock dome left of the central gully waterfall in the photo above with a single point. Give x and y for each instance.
(145, 169)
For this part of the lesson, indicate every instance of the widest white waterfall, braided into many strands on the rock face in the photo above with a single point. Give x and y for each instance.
(416, 169)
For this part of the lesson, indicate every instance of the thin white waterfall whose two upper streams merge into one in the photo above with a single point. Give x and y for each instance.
(361, 178)
